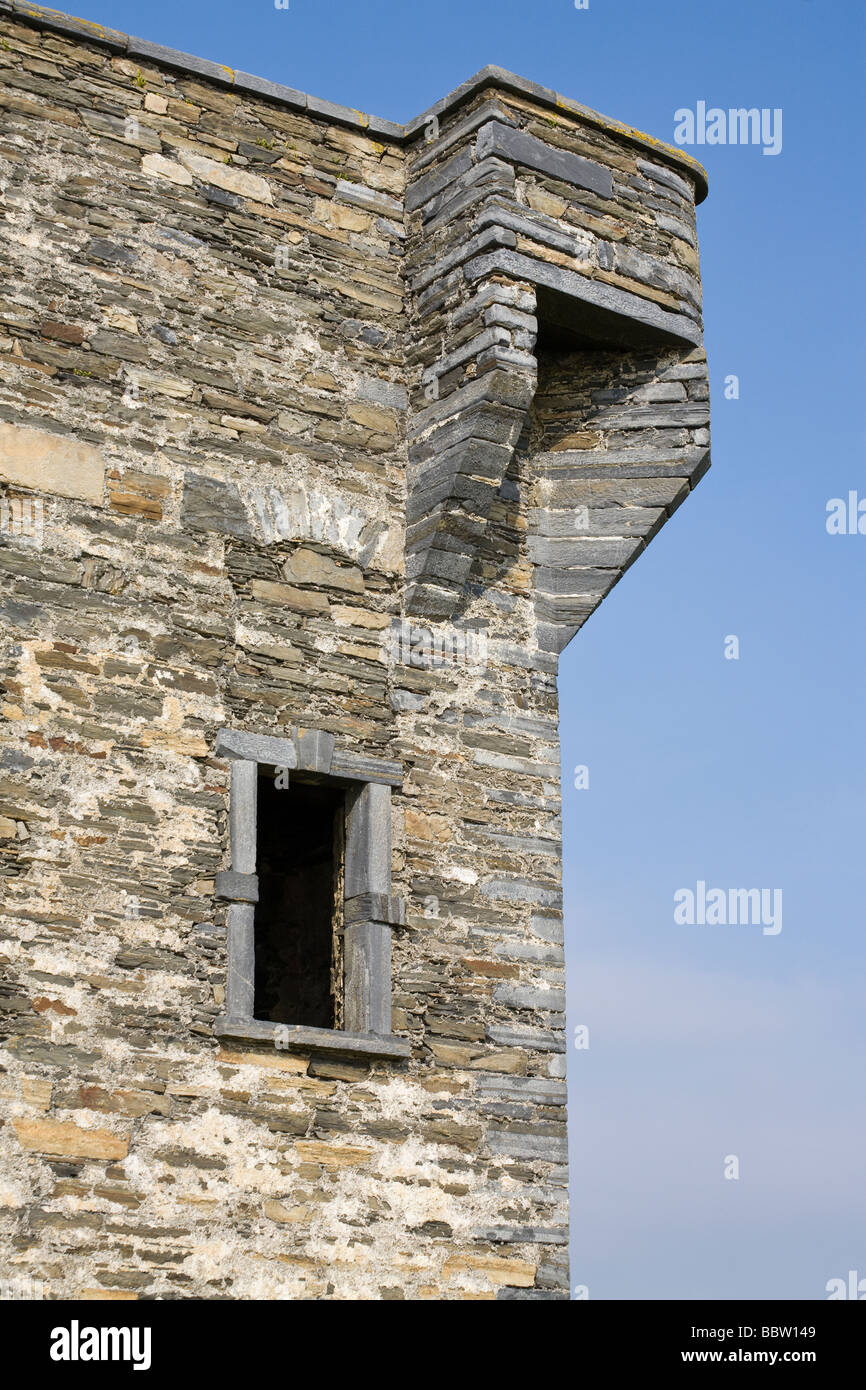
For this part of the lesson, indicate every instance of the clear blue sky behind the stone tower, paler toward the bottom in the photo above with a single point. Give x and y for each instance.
(705, 1042)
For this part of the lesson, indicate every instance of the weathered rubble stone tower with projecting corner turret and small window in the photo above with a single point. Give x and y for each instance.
(320, 439)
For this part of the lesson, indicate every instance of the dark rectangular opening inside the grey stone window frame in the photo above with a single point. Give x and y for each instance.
(300, 864)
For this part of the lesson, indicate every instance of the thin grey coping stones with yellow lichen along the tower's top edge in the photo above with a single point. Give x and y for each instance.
(491, 76)
